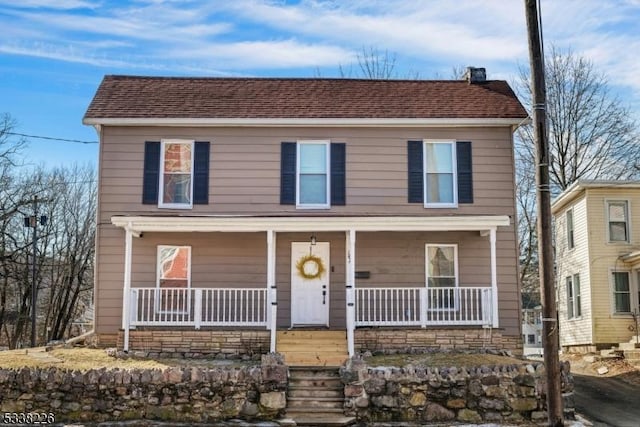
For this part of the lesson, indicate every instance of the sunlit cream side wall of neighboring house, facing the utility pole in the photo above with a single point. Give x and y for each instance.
(578, 330)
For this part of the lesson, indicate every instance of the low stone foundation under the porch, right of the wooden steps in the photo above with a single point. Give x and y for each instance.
(383, 339)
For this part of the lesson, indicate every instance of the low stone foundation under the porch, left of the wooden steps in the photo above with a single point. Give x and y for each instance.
(191, 343)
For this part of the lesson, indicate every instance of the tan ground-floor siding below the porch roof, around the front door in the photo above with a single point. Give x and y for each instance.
(238, 260)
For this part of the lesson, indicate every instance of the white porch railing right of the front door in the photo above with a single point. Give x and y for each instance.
(423, 306)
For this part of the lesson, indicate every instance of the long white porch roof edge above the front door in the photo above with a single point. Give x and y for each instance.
(237, 224)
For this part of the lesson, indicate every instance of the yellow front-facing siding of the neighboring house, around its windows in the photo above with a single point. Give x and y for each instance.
(605, 257)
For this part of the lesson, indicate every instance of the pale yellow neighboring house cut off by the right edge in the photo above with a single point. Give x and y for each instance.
(597, 228)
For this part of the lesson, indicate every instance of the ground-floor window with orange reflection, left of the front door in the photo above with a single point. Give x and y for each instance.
(174, 278)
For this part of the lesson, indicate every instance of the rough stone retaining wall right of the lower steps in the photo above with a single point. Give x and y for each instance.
(510, 394)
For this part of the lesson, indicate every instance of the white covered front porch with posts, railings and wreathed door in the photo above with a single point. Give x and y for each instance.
(285, 298)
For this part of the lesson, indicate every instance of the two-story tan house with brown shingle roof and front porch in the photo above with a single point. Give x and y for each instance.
(233, 211)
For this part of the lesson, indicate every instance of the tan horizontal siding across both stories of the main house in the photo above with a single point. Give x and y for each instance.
(245, 179)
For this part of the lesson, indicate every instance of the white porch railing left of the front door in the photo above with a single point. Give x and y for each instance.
(198, 307)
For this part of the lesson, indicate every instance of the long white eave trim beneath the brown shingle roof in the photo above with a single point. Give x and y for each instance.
(305, 122)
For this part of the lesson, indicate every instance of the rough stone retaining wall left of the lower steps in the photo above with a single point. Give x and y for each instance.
(174, 394)
